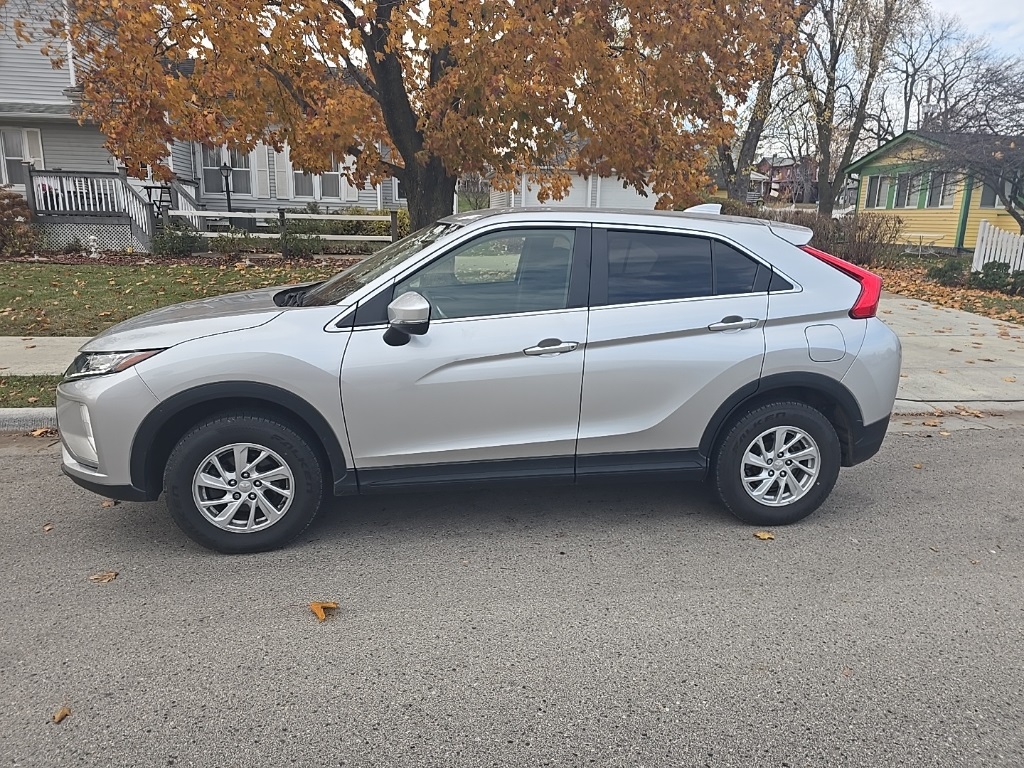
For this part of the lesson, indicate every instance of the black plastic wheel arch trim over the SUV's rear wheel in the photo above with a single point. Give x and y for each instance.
(830, 397)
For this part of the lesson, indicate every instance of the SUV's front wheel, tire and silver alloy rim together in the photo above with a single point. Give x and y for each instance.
(243, 483)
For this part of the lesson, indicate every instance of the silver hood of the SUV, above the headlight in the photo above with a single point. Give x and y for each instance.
(192, 320)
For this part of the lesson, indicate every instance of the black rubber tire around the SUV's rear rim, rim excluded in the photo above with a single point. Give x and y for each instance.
(729, 464)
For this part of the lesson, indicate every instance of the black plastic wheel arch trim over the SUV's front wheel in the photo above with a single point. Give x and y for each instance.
(167, 423)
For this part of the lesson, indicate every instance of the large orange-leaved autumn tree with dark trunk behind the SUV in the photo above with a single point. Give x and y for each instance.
(428, 91)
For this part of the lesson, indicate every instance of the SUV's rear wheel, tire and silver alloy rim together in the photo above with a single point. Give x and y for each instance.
(778, 464)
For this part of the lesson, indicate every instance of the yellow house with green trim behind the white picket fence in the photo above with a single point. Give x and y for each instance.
(942, 209)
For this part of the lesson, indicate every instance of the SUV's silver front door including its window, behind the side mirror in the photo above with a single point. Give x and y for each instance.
(493, 388)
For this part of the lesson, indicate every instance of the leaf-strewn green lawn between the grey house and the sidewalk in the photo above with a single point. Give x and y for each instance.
(82, 301)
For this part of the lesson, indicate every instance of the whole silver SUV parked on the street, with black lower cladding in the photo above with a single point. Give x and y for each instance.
(495, 347)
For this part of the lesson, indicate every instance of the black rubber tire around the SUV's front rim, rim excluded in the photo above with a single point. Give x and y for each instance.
(270, 434)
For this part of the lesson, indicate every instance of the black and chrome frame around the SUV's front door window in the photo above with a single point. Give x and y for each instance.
(372, 311)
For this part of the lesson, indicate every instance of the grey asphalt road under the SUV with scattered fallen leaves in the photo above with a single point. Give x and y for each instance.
(608, 626)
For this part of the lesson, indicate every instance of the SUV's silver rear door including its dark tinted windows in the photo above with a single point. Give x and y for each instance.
(676, 327)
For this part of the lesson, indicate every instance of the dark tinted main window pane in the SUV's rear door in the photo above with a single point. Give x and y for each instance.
(648, 267)
